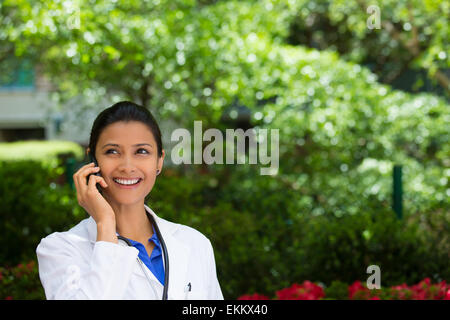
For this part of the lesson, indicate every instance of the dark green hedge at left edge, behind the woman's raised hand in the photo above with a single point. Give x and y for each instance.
(33, 205)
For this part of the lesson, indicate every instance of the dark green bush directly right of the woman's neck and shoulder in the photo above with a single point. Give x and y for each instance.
(245, 237)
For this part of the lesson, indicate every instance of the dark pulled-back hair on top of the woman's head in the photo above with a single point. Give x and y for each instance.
(124, 111)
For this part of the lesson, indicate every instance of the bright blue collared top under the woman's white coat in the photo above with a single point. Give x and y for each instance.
(155, 262)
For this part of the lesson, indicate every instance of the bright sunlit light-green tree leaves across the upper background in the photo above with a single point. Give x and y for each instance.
(189, 60)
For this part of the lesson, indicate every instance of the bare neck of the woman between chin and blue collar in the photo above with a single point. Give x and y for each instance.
(132, 221)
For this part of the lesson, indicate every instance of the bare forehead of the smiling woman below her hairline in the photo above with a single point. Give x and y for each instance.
(126, 133)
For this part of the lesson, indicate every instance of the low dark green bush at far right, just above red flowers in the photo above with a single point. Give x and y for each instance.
(342, 248)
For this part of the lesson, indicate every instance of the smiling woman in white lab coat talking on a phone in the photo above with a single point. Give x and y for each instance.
(108, 255)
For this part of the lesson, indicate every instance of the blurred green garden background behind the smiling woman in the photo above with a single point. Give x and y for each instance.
(360, 98)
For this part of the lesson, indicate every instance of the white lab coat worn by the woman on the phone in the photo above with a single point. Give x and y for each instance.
(73, 265)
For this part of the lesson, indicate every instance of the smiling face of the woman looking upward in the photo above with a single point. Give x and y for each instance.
(127, 151)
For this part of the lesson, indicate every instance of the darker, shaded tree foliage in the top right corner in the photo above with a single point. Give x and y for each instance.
(412, 36)
